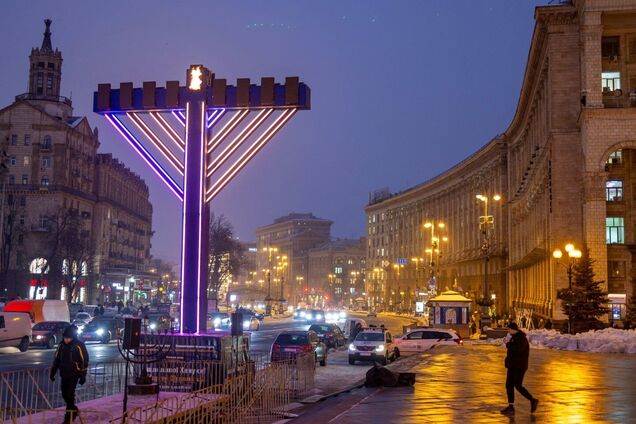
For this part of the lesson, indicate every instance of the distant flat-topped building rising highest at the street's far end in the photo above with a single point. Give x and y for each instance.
(289, 237)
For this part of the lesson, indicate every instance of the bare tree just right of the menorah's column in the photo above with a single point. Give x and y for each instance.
(226, 255)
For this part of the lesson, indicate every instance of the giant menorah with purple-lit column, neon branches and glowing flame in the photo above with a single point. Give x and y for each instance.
(205, 132)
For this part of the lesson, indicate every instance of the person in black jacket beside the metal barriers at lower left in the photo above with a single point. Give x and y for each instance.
(71, 359)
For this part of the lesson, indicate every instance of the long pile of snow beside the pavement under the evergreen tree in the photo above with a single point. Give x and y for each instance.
(608, 340)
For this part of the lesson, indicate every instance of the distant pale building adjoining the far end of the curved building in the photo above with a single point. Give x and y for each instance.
(336, 274)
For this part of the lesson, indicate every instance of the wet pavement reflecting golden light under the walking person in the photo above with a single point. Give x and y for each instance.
(466, 384)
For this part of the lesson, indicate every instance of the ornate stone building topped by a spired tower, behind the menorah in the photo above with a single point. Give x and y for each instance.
(52, 167)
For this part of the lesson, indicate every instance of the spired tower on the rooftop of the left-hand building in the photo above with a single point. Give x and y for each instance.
(45, 76)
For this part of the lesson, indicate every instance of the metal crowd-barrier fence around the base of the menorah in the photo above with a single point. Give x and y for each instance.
(251, 390)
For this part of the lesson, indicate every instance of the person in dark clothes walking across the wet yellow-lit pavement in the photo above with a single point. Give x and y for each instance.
(517, 365)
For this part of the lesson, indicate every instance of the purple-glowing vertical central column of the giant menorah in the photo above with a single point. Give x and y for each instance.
(195, 225)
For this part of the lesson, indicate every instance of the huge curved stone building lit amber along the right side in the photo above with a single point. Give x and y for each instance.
(563, 167)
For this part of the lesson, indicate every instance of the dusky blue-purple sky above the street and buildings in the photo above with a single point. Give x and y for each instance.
(401, 90)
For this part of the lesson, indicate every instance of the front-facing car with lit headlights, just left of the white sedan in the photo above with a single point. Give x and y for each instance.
(373, 344)
